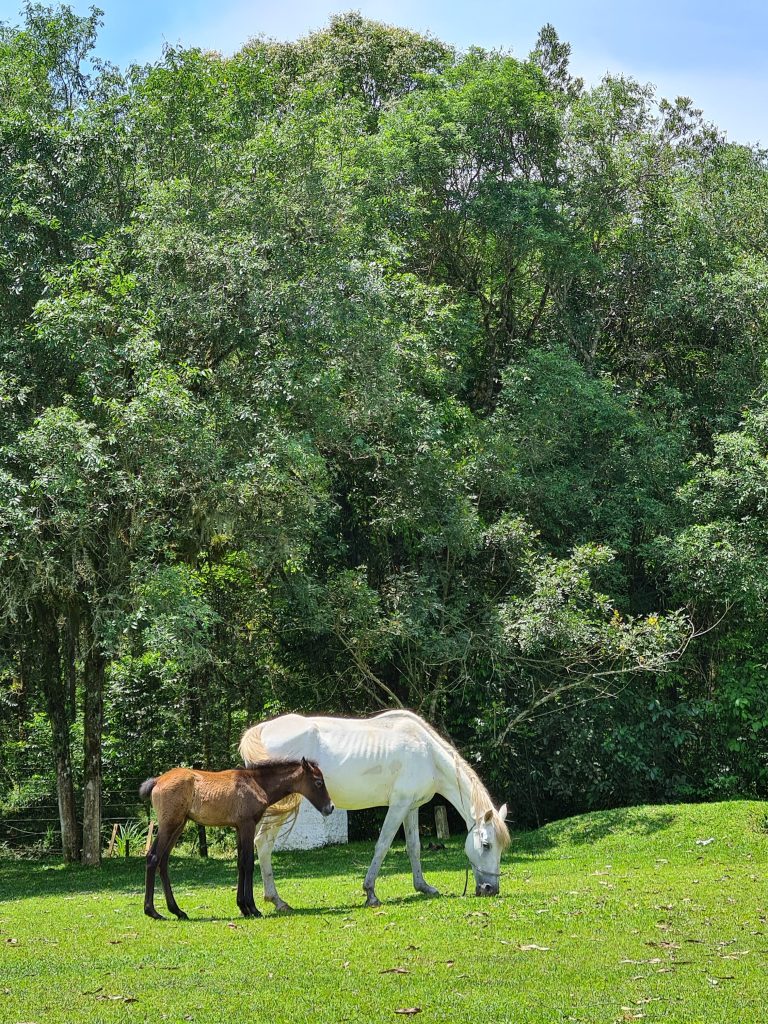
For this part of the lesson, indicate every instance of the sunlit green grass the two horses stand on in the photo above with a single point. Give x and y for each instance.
(611, 917)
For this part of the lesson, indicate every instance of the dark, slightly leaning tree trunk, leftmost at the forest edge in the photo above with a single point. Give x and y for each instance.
(57, 704)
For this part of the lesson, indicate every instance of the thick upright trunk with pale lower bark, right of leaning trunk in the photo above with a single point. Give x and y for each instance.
(94, 717)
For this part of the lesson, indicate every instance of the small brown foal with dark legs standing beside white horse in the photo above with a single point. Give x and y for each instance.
(237, 798)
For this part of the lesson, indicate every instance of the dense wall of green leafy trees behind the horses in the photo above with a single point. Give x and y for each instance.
(358, 372)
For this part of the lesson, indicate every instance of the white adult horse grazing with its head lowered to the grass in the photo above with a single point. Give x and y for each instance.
(395, 759)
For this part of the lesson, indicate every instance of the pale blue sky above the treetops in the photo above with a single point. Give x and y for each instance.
(712, 52)
